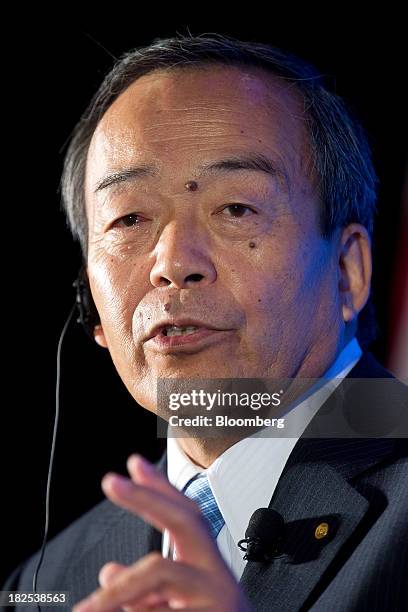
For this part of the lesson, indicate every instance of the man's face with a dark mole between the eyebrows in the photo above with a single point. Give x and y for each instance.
(241, 256)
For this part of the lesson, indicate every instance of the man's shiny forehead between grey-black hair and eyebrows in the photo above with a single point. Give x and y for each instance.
(184, 116)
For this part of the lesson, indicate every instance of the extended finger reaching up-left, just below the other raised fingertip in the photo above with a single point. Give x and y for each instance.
(185, 523)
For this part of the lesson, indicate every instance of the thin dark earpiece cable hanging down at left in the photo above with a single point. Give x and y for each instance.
(54, 436)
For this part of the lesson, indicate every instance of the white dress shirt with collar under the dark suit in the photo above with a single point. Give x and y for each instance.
(244, 477)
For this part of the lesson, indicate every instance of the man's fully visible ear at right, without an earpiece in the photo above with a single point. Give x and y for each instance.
(355, 267)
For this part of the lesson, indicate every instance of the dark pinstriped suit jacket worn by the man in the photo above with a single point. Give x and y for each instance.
(359, 486)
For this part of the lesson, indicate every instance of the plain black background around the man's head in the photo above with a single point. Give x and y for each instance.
(55, 68)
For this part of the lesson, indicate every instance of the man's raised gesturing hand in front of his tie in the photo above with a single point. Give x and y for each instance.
(199, 579)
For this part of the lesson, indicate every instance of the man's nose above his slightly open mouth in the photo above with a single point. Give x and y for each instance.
(182, 258)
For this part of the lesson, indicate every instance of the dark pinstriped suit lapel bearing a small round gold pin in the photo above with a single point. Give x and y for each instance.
(331, 501)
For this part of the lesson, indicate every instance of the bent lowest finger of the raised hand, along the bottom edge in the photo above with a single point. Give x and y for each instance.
(152, 574)
